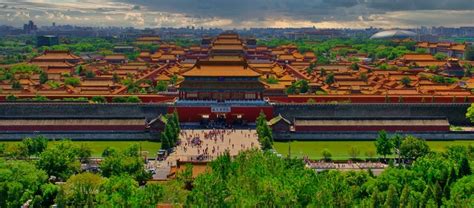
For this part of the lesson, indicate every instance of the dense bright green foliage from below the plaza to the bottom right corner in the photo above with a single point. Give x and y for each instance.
(258, 179)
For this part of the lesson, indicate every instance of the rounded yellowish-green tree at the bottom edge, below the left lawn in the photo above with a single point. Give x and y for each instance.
(81, 190)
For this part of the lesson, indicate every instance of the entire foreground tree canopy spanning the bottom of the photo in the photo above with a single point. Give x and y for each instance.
(251, 179)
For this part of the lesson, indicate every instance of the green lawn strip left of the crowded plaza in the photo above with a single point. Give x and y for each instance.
(99, 146)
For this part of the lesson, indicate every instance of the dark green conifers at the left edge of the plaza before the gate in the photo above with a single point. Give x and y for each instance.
(170, 135)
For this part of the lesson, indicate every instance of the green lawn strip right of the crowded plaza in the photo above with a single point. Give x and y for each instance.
(340, 149)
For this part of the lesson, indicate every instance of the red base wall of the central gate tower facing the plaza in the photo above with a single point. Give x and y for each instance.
(194, 113)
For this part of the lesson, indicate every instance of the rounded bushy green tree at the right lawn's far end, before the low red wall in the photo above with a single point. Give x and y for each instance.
(412, 148)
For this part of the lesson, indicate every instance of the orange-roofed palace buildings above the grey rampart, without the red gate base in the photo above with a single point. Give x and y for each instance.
(268, 72)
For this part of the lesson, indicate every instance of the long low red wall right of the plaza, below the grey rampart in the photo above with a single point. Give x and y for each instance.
(371, 128)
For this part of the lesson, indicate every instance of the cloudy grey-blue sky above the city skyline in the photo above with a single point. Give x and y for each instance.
(241, 13)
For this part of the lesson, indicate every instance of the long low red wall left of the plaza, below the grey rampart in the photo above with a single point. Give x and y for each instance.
(74, 128)
